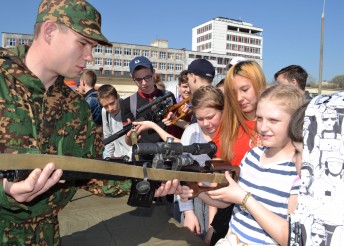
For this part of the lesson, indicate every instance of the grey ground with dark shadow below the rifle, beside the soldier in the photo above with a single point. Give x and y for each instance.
(92, 220)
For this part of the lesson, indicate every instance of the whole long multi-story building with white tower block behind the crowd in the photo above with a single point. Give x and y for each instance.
(112, 63)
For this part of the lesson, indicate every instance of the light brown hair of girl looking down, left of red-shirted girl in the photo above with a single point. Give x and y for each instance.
(207, 97)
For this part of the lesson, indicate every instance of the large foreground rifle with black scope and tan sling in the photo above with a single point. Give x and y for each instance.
(168, 155)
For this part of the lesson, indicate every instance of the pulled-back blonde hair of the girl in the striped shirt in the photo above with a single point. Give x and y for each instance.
(289, 97)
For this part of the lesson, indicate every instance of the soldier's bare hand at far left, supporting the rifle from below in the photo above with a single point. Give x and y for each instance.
(38, 182)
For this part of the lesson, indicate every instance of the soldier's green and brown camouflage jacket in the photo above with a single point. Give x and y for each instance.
(35, 120)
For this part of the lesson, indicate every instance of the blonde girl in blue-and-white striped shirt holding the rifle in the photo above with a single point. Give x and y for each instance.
(268, 185)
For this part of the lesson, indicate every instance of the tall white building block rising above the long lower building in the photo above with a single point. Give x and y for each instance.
(230, 37)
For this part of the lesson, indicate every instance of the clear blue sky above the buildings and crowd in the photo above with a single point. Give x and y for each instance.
(291, 28)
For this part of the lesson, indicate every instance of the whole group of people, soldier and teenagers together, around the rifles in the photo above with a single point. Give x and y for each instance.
(289, 148)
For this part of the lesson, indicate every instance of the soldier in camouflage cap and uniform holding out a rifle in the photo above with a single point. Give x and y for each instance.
(39, 114)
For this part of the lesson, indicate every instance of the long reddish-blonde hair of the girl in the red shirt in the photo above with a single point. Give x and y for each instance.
(232, 117)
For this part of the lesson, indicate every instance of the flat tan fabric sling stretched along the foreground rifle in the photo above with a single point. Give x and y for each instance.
(68, 163)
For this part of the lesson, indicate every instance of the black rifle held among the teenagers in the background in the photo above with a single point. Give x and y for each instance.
(159, 107)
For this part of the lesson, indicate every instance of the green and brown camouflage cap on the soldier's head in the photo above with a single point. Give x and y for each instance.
(79, 15)
